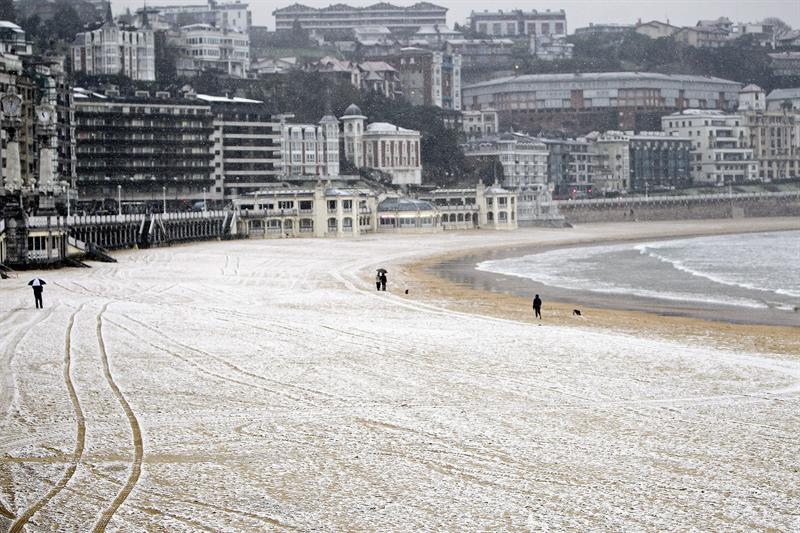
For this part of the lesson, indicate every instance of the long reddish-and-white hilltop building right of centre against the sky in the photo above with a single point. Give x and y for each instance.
(518, 22)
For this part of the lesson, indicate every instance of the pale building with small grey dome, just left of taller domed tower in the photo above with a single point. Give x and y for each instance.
(311, 149)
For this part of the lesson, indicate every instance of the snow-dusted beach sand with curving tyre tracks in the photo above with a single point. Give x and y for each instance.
(252, 385)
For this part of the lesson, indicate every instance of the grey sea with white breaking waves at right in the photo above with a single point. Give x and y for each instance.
(748, 271)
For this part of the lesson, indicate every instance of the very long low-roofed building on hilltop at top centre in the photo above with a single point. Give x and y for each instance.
(342, 17)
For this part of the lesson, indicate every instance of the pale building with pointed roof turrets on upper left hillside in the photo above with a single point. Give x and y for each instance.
(112, 50)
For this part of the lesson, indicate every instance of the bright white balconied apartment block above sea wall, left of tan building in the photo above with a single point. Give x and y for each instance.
(720, 154)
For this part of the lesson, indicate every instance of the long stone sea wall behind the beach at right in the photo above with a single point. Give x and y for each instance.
(680, 207)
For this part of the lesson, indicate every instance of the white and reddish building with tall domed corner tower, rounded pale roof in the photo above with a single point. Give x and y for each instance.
(382, 146)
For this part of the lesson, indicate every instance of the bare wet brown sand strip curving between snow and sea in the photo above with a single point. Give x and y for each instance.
(492, 294)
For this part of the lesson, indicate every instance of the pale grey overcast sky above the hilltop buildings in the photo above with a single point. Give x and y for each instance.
(579, 12)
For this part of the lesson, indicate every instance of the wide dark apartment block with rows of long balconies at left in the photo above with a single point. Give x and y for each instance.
(143, 148)
